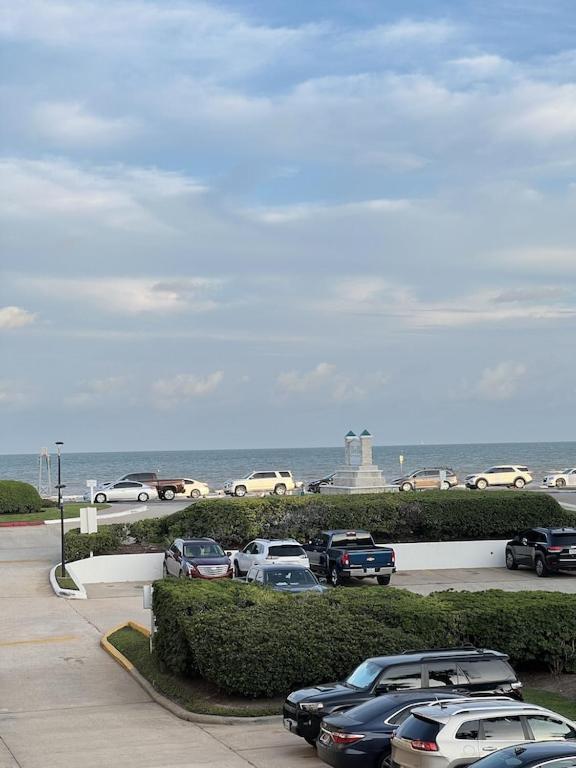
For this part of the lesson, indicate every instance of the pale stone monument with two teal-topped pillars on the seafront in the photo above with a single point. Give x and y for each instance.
(358, 474)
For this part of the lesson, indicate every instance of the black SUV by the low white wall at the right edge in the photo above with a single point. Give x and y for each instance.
(546, 550)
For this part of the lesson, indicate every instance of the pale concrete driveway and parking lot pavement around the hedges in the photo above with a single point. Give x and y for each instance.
(65, 703)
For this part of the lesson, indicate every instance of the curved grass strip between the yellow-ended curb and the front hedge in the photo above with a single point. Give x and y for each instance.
(193, 695)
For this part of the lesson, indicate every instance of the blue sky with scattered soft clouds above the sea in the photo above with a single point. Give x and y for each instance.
(263, 223)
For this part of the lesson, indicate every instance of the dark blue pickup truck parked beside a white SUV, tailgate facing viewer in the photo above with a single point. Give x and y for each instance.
(341, 554)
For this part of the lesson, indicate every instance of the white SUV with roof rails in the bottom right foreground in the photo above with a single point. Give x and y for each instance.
(448, 733)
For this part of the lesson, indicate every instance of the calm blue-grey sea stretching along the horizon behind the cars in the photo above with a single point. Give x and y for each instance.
(215, 467)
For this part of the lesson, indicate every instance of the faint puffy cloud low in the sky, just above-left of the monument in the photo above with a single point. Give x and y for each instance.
(326, 380)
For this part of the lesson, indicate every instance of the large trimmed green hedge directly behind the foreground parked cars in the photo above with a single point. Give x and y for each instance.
(256, 642)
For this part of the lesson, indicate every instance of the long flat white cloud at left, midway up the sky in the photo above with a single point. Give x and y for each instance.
(130, 296)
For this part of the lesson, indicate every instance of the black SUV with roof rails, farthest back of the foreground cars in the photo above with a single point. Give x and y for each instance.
(465, 670)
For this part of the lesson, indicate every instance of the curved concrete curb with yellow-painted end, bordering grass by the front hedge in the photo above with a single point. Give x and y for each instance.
(163, 701)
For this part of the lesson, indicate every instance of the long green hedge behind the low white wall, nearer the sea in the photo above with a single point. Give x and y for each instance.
(430, 516)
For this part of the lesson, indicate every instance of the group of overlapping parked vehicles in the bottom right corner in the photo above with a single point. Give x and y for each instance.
(439, 708)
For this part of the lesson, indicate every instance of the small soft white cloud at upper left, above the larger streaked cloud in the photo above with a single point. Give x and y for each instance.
(70, 123)
